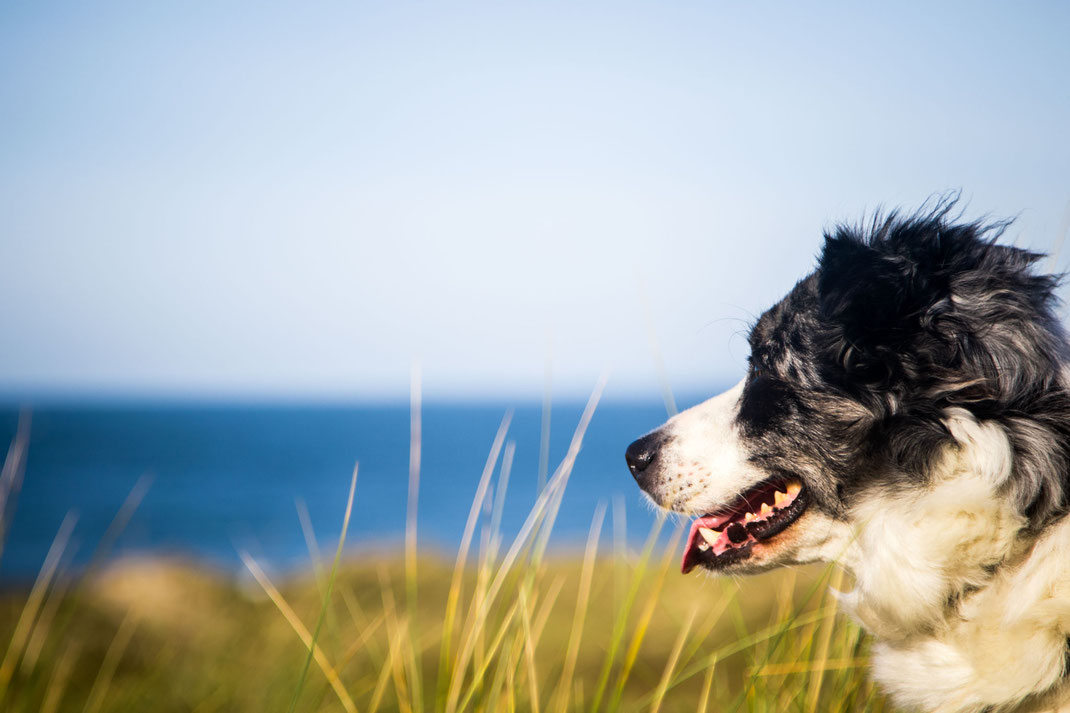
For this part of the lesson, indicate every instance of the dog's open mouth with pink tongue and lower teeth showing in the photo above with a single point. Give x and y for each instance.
(728, 536)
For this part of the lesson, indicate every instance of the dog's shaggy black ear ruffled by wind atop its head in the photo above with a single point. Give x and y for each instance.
(940, 306)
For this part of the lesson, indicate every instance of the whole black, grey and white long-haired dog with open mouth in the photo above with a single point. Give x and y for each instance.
(907, 414)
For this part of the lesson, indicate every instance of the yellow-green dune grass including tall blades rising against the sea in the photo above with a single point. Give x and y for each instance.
(503, 627)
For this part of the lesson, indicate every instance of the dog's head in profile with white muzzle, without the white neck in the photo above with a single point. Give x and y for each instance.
(851, 383)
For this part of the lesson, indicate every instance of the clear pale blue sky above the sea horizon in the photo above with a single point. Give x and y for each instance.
(257, 200)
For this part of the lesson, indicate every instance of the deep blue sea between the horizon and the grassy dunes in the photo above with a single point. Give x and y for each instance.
(227, 478)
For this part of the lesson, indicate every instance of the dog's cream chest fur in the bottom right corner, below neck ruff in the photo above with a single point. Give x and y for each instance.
(1001, 648)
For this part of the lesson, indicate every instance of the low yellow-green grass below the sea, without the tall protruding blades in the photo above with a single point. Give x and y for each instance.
(186, 640)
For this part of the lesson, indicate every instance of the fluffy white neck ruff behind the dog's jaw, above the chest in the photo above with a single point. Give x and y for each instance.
(915, 553)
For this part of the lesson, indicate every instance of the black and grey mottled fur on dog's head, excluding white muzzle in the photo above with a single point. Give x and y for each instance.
(904, 318)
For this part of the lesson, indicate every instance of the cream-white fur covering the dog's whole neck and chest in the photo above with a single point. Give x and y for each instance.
(970, 610)
